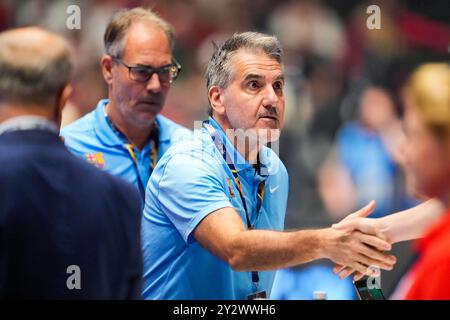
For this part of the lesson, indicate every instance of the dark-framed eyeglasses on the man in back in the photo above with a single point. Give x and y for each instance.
(141, 73)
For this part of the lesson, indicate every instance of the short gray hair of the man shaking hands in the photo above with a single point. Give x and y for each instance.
(218, 71)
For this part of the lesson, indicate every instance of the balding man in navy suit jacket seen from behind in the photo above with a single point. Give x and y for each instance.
(67, 230)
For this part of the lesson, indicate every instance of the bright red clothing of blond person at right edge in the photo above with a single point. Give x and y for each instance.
(430, 275)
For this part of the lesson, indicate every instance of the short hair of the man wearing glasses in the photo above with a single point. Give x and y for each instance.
(122, 20)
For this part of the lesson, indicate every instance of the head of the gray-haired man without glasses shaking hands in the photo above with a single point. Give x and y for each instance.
(245, 82)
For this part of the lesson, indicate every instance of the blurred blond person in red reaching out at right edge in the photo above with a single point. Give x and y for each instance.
(426, 158)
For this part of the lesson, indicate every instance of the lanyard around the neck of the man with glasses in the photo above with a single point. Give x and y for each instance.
(154, 136)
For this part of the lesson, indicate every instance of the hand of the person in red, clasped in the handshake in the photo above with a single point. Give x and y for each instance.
(358, 222)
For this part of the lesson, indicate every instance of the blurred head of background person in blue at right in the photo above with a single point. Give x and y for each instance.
(376, 108)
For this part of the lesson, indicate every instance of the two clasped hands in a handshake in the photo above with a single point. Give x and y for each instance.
(358, 244)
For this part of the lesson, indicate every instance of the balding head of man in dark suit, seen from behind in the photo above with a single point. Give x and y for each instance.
(35, 70)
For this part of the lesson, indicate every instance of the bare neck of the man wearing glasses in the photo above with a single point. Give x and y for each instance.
(138, 136)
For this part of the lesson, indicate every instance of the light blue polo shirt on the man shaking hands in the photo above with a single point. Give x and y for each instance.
(189, 182)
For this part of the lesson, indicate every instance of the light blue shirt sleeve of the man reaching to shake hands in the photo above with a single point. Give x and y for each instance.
(189, 189)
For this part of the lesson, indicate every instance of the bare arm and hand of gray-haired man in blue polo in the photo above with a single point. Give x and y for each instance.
(223, 234)
